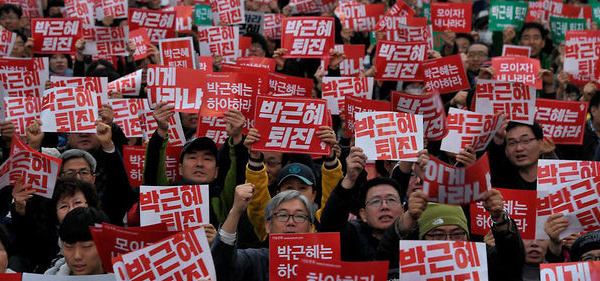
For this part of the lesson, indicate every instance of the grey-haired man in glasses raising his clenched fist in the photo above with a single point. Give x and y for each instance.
(287, 212)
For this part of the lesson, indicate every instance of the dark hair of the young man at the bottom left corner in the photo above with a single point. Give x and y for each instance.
(76, 225)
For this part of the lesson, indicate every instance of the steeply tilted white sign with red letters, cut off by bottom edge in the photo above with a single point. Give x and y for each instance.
(184, 254)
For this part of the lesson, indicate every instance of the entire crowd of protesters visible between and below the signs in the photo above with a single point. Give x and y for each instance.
(254, 194)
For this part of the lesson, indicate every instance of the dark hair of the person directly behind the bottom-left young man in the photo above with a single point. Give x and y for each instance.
(70, 186)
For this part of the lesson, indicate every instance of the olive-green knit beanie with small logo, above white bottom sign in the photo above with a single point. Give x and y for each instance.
(440, 215)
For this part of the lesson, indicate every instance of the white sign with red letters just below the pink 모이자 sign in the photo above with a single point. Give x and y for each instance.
(514, 99)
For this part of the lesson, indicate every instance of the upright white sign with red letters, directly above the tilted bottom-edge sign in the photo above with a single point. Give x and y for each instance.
(179, 207)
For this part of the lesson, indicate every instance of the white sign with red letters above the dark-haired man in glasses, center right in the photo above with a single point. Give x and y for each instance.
(389, 135)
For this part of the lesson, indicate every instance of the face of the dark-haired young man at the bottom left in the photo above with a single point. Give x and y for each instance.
(83, 258)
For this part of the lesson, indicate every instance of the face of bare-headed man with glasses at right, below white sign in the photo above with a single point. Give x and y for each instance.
(520, 154)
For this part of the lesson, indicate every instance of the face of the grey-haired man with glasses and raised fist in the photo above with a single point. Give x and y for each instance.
(291, 207)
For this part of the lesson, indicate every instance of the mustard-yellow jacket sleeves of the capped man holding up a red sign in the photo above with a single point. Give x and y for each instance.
(329, 180)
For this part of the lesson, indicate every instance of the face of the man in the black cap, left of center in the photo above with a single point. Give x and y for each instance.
(199, 166)
